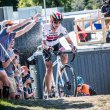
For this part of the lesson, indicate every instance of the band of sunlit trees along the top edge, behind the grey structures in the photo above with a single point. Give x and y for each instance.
(69, 5)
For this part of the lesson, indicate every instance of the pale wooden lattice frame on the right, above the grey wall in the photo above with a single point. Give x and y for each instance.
(102, 31)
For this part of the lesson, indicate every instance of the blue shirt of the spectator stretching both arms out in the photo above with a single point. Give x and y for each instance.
(5, 39)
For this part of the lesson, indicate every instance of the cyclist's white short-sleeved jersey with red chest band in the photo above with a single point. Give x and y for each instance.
(52, 38)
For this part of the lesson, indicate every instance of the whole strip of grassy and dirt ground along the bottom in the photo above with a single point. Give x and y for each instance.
(99, 102)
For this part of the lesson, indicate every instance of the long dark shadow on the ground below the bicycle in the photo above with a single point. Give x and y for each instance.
(49, 104)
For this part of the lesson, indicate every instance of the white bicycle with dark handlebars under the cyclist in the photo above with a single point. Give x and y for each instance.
(65, 80)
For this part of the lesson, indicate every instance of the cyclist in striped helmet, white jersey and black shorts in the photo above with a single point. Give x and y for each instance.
(50, 42)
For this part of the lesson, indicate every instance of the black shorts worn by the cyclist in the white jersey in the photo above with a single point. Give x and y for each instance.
(47, 54)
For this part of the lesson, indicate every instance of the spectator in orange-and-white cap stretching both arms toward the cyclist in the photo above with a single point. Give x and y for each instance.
(6, 35)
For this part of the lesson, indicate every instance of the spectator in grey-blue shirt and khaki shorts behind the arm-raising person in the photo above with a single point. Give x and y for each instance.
(10, 67)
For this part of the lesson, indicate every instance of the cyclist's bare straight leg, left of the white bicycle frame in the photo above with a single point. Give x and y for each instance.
(48, 77)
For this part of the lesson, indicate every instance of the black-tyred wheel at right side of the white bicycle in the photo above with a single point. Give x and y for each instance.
(67, 82)
